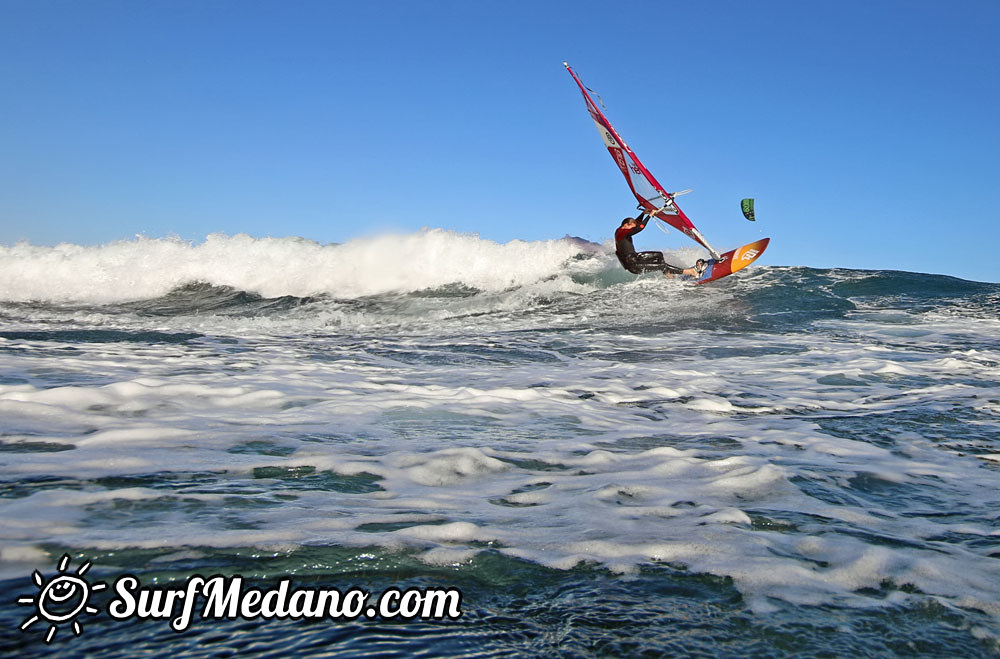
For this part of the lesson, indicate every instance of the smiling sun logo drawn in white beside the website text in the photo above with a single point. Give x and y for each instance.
(61, 599)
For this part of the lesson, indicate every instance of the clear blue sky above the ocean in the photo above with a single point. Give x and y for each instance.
(866, 130)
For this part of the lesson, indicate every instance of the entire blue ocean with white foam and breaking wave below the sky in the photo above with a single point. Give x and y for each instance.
(789, 462)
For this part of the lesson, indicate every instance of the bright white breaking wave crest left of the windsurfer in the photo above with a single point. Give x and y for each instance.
(146, 268)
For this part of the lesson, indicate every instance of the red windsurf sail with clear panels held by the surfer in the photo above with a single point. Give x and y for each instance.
(647, 190)
